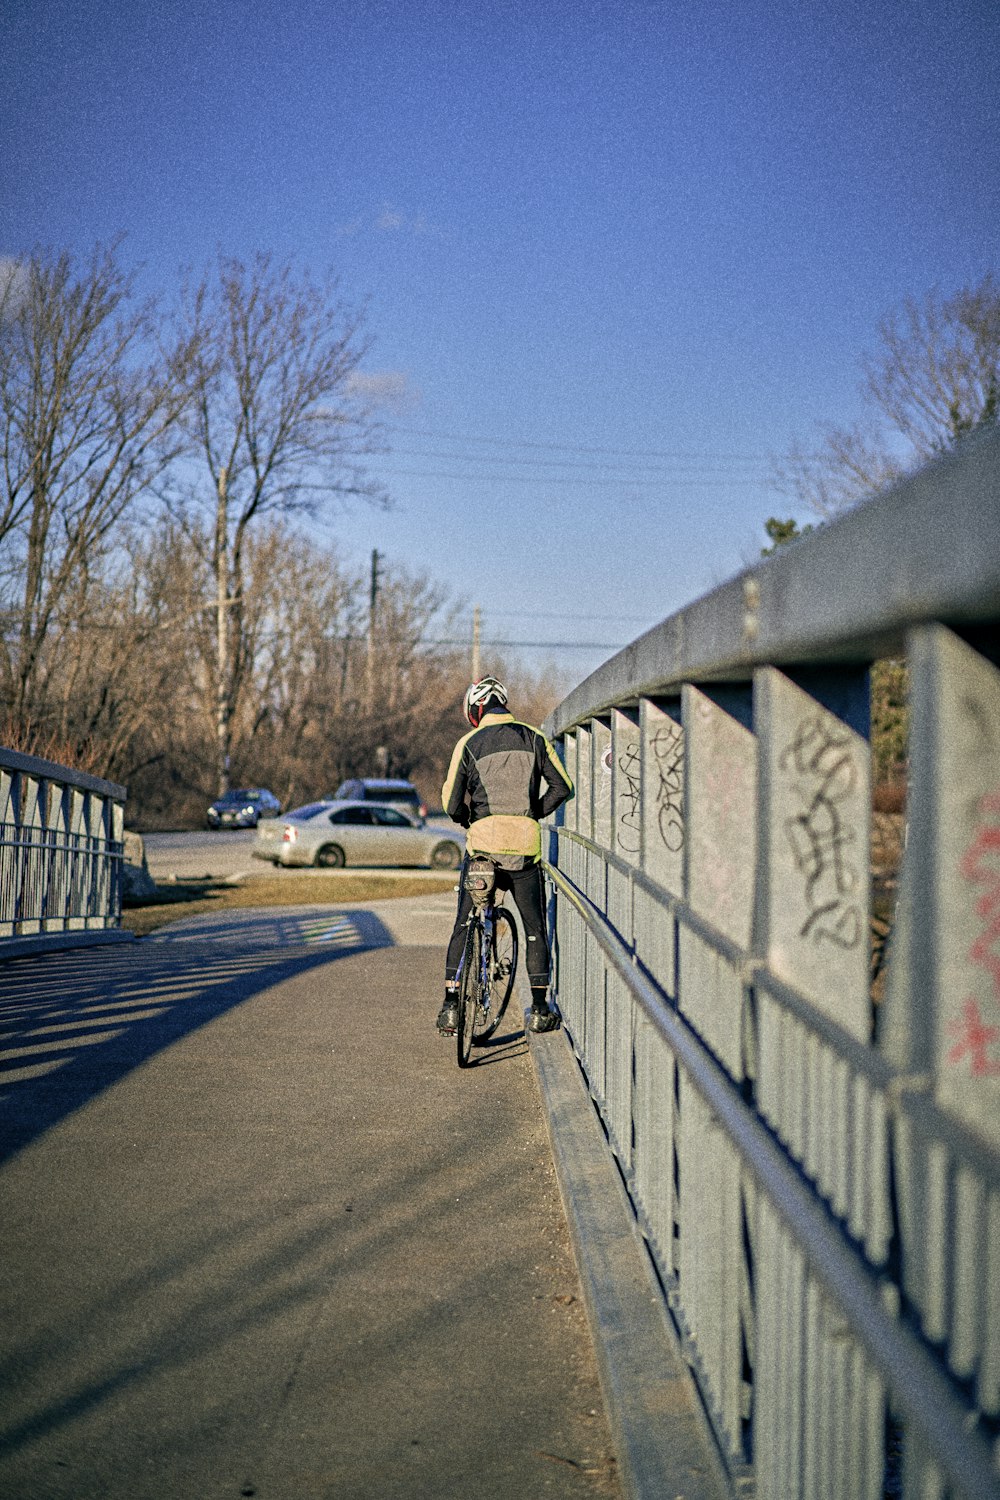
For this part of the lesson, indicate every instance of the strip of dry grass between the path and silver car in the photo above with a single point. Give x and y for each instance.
(194, 898)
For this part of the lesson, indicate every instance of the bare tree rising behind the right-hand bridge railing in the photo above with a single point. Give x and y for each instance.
(933, 379)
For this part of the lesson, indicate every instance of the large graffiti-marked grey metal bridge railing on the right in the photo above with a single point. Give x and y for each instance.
(815, 1162)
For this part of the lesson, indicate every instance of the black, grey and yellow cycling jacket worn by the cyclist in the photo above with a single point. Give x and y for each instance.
(496, 787)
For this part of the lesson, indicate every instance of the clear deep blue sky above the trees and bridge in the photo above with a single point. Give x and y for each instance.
(617, 253)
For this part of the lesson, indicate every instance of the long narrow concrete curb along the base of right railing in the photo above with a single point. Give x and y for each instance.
(659, 1426)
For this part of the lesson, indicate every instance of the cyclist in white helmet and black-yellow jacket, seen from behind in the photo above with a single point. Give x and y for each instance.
(496, 791)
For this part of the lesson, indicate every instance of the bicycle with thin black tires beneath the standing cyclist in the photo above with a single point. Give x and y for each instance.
(490, 961)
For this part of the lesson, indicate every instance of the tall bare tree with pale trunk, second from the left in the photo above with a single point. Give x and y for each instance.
(283, 427)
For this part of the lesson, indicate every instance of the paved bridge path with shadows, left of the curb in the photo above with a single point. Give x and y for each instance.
(260, 1237)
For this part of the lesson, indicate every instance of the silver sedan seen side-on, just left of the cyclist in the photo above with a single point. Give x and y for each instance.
(338, 833)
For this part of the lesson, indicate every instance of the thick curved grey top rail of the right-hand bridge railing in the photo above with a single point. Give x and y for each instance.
(848, 593)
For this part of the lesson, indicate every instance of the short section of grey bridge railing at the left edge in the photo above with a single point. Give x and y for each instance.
(61, 856)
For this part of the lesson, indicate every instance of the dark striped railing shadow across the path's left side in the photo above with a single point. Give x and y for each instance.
(76, 1022)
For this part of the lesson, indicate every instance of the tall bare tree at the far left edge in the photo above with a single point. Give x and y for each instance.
(89, 404)
